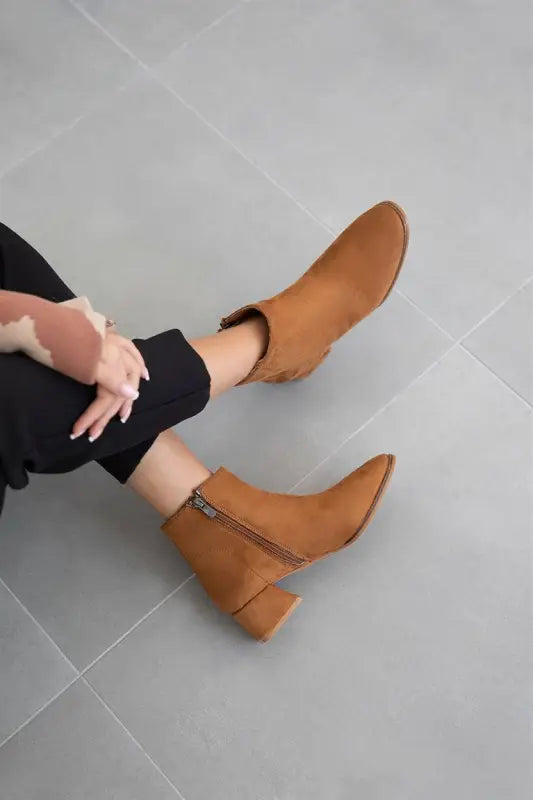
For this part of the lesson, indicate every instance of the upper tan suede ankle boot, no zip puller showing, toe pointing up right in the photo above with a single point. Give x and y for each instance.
(352, 278)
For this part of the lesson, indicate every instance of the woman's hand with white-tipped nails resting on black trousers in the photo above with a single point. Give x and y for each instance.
(118, 376)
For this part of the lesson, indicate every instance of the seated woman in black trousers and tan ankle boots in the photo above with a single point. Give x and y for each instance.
(72, 390)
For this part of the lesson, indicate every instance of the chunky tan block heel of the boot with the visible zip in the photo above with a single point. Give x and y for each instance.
(267, 612)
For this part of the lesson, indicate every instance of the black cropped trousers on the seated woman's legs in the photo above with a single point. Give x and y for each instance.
(39, 406)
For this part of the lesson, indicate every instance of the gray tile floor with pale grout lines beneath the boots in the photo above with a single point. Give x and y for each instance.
(174, 159)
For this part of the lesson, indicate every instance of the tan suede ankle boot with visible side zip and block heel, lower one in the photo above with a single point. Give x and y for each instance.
(240, 540)
